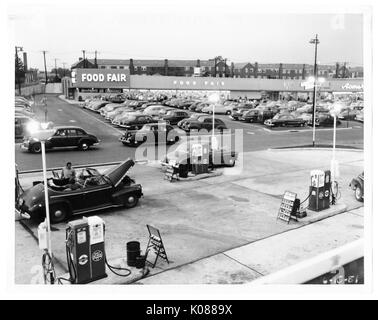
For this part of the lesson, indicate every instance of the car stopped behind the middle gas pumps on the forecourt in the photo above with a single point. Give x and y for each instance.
(181, 155)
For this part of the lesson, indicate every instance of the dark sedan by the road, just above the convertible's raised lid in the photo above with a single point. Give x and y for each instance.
(153, 132)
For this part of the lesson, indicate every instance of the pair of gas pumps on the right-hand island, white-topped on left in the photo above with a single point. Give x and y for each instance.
(320, 190)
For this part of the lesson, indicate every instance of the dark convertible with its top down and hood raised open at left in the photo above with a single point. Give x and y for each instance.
(91, 191)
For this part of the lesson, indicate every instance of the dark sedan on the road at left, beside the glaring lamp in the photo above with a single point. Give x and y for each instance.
(61, 137)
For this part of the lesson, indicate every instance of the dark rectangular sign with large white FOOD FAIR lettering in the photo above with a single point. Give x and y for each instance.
(98, 78)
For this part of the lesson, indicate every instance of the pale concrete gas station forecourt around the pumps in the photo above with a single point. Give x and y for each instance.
(200, 219)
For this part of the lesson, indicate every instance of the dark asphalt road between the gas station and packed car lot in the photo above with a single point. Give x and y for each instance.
(255, 136)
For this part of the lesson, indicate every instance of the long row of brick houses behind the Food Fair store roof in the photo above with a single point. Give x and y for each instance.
(218, 67)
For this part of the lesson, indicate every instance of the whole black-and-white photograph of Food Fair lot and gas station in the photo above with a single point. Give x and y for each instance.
(163, 143)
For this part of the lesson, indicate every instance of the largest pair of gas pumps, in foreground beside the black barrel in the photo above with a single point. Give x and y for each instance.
(85, 250)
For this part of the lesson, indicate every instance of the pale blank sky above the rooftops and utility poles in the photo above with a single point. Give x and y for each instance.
(169, 30)
